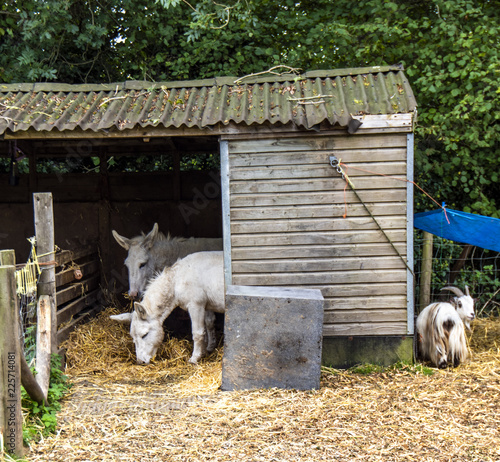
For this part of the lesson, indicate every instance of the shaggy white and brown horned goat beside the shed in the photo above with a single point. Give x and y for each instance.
(440, 329)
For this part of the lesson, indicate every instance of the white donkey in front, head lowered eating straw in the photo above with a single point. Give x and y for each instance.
(195, 284)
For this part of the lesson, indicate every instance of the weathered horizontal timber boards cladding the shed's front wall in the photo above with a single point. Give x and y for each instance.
(287, 227)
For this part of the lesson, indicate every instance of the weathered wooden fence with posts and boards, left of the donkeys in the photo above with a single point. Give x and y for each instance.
(68, 293)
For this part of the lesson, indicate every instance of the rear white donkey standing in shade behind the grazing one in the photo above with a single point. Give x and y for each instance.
(149, 254)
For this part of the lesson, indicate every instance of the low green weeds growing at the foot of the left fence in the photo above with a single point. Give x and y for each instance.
(41, 420)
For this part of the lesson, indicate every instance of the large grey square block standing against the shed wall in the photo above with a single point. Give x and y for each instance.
(272, 338)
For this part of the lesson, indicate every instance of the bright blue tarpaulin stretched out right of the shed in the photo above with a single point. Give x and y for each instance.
(461, 227)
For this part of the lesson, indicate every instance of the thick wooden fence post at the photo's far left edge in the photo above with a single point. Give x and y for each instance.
(11, 418)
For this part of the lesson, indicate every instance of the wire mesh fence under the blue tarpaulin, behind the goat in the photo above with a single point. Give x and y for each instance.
(460, 265)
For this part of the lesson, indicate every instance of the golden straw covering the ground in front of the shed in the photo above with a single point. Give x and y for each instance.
(173, 411)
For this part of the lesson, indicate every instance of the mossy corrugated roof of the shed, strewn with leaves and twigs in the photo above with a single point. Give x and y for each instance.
(305, 100)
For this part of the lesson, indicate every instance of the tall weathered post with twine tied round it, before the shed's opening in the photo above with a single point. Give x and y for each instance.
(45, 245)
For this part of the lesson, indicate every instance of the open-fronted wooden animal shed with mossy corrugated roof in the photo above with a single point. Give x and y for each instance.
(287, 146)
